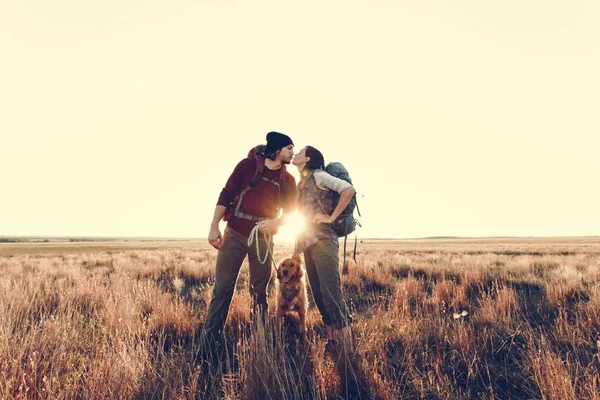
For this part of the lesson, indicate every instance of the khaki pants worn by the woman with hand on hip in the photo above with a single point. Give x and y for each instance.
(323, 269)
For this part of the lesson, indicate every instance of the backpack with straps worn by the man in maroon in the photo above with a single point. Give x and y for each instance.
(233, 210)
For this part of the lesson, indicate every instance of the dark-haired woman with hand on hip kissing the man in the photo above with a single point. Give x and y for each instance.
(319, 243)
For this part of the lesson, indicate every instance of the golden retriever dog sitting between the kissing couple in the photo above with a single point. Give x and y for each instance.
(291, 291)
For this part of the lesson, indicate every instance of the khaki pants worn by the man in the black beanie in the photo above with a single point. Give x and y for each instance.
(229, 261)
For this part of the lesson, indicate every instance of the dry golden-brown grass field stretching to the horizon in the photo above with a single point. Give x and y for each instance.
(459, 319)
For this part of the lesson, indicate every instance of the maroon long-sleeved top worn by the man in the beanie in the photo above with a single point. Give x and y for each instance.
(261, 200)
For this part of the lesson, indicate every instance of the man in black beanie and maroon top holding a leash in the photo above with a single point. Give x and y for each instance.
(244, 206)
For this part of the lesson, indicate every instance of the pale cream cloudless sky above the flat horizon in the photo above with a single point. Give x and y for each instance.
(462, 118)
